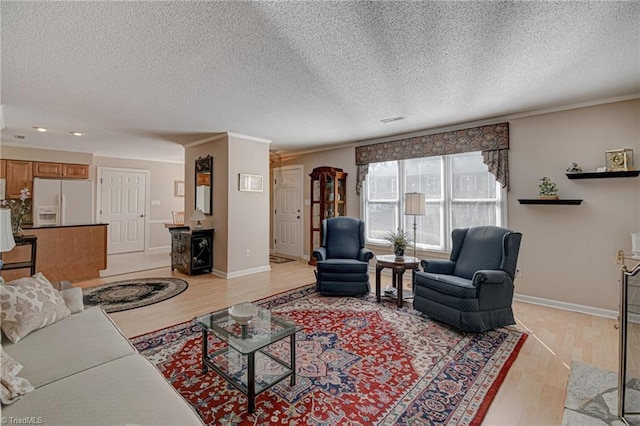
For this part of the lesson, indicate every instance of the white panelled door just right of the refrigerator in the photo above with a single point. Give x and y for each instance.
(122, 206)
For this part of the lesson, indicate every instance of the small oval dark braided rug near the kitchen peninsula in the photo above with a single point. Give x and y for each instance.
(130, 294)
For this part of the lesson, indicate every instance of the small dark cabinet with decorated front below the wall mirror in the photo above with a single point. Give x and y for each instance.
(191, 250)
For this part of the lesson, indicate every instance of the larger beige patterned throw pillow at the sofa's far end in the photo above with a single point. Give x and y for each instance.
(28, 304)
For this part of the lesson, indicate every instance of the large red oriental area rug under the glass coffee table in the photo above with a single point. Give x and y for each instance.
(357, 362)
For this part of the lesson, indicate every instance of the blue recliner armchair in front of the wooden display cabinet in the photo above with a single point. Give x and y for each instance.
(342, 260)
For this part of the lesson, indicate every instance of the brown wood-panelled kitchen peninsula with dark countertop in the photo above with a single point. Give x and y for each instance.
(69, 252)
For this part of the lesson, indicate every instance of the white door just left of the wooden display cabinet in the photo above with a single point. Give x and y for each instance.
(288, 210)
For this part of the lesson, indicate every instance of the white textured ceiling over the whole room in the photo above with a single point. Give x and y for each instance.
(144, 78)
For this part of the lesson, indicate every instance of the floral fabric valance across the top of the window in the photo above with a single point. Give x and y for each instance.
(492, 140)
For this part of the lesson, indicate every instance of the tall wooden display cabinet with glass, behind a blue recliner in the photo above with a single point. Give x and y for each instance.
(328, 199)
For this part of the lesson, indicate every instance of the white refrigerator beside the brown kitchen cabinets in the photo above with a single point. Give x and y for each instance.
(62, 202)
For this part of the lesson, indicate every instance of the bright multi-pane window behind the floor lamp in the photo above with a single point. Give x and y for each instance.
(459, 190)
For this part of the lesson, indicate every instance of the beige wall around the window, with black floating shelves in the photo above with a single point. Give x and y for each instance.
(567, 252)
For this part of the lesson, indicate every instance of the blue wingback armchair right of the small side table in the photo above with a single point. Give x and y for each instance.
(473, 290)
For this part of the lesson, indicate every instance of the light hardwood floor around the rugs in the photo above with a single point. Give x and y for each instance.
(533, 392)
